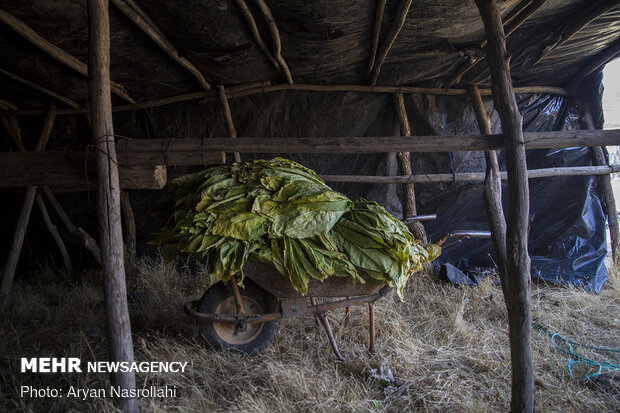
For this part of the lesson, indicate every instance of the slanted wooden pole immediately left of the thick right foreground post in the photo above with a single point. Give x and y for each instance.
(492, 193)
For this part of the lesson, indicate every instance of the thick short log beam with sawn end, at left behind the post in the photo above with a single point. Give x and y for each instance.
(67, 170)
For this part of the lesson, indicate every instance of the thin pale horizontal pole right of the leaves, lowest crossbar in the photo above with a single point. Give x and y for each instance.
(472, 176)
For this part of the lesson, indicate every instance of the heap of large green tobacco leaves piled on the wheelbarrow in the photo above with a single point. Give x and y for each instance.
(282, 213)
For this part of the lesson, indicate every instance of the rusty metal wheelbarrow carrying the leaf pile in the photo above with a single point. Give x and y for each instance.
(248, 320)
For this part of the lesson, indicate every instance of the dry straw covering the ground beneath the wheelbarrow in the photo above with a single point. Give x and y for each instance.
(443, 349)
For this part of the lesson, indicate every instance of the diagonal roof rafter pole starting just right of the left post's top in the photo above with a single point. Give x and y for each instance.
(154, 33)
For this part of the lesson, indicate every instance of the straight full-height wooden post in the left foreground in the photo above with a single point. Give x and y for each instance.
(108, 198)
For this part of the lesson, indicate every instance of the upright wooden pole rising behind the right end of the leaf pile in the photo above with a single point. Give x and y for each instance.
(404, 166)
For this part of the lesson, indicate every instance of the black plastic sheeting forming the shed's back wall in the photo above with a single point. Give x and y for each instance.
(567, 235)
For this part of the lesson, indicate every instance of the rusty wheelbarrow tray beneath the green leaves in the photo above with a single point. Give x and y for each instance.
(270, 279)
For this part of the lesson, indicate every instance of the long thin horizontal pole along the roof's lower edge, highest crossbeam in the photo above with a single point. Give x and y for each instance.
(238, 91)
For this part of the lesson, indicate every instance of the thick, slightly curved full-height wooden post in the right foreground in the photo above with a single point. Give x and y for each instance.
(517, 220)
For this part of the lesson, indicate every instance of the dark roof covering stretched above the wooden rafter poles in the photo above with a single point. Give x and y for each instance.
(322, 42)
